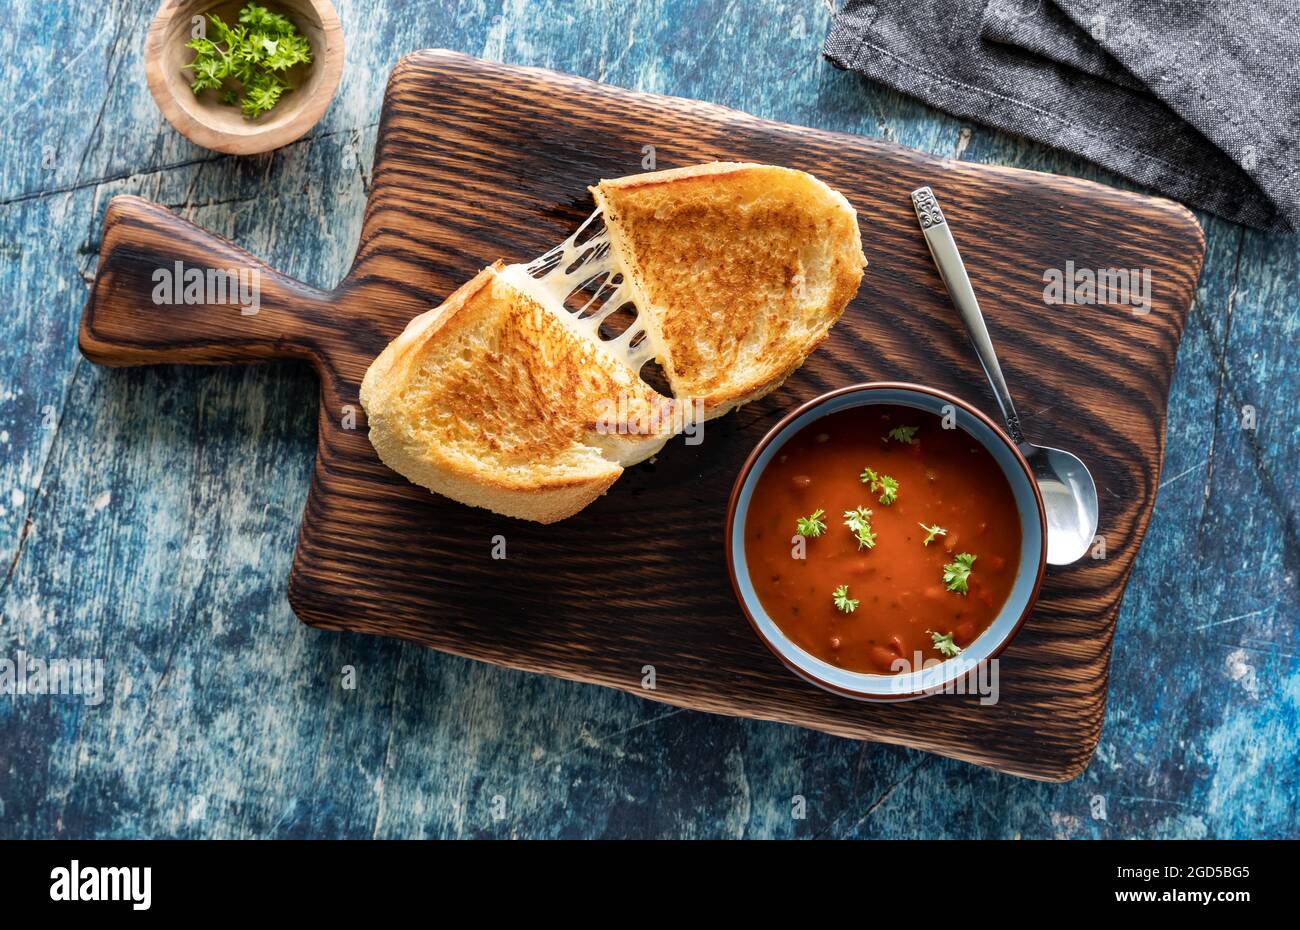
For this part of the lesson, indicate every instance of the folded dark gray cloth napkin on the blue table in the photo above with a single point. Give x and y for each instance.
(1199, 101)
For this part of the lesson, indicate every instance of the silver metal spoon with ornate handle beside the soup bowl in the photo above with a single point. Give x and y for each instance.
(1069, 492)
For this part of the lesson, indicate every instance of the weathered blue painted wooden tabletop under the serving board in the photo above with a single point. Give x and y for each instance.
(148, 517)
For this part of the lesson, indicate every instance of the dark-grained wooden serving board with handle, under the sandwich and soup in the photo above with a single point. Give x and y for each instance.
(478, 162)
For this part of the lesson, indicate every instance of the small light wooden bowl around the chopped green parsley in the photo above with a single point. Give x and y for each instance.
(209, 123)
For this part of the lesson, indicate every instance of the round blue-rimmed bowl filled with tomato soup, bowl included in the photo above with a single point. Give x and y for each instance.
(886, 539)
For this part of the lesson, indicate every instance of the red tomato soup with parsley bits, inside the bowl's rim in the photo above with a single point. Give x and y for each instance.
(898, 600)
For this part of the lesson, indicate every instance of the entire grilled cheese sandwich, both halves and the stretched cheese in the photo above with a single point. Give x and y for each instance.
(513, 399)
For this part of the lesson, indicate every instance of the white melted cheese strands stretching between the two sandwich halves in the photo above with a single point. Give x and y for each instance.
(586, 265)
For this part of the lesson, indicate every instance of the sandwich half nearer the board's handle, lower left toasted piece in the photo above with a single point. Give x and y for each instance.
(496, 401)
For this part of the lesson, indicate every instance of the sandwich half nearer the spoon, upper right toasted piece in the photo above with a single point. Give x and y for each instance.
(738, 271)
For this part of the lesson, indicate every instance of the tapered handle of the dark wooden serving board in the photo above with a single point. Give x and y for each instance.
(170, 292)
